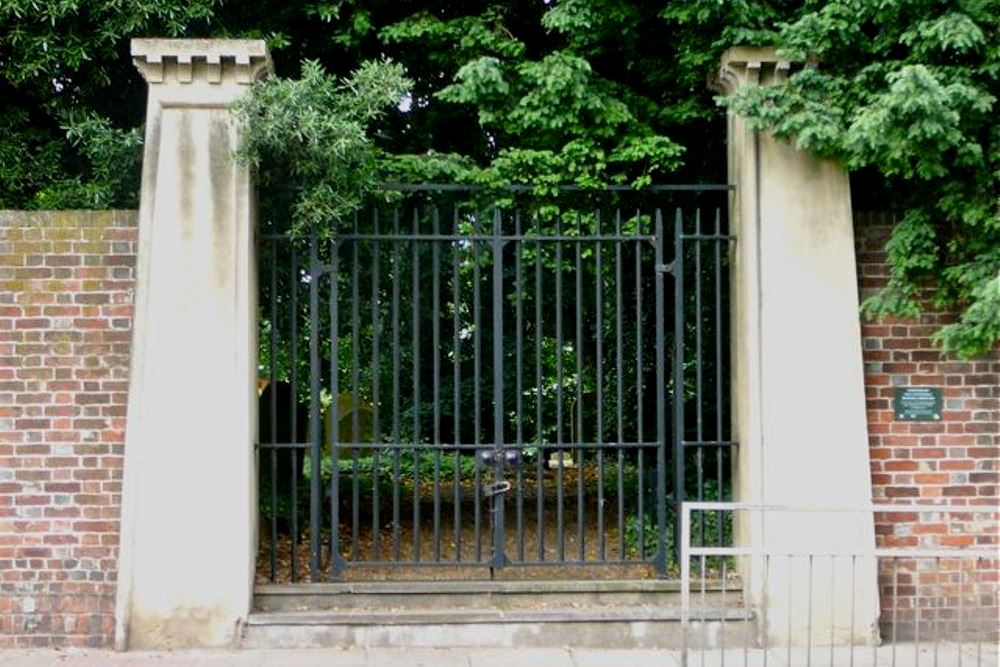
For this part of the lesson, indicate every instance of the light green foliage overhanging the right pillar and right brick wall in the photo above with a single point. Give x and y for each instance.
(908, 89)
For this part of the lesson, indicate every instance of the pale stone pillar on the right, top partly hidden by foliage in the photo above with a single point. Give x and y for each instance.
(798, 385)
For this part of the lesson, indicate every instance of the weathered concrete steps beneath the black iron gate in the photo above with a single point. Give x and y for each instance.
(634, 614)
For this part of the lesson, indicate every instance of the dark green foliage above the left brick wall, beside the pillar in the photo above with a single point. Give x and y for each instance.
(70, 124)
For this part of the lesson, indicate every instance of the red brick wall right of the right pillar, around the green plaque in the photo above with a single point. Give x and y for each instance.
(951, 461)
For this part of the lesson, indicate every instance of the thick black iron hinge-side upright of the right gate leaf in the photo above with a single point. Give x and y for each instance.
(661, 423)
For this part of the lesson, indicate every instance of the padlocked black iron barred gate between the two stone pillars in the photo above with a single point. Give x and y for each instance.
(494, 380)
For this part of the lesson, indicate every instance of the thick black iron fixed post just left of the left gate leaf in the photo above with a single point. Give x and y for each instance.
(314, 416)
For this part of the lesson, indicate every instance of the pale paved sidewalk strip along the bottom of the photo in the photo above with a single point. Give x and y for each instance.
(948, 655)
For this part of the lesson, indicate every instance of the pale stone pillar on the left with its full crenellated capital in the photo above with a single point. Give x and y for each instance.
(188, 539)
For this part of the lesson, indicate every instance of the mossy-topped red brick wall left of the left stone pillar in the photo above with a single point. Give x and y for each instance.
(66, 283)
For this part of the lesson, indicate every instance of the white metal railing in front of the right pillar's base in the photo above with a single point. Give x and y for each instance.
(935, 600)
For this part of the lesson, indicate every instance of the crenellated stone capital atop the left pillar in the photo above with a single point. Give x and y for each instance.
(200, 62)
